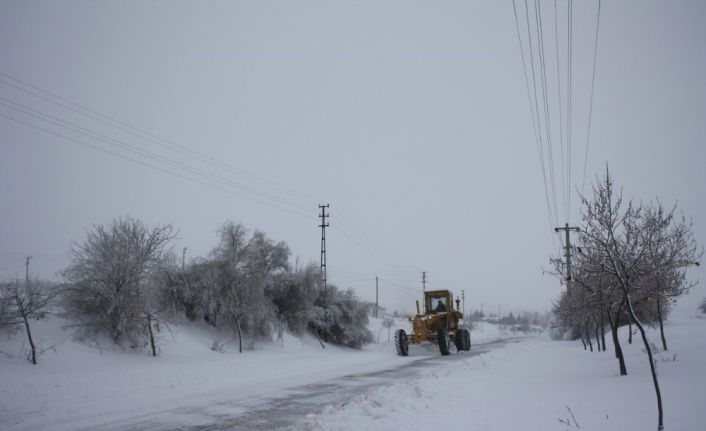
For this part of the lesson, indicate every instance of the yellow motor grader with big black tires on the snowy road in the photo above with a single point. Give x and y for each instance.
(439, 325)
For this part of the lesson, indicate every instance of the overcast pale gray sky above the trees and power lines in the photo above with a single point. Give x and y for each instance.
(410, 118)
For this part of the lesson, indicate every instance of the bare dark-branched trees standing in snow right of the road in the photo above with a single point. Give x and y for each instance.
(629, 267)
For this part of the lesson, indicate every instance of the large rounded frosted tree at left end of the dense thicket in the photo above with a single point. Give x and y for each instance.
(110, 279)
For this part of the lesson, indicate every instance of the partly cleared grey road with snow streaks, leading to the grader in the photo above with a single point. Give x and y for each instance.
(291, 407)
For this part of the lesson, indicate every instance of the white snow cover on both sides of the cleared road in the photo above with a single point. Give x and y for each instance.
(525, 383)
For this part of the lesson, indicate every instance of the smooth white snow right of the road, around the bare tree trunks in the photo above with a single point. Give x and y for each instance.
(538, 384)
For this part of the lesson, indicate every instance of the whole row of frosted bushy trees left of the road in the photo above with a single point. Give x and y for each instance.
(125, 282)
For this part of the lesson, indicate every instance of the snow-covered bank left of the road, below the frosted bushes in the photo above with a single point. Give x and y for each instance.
(77, 386)
